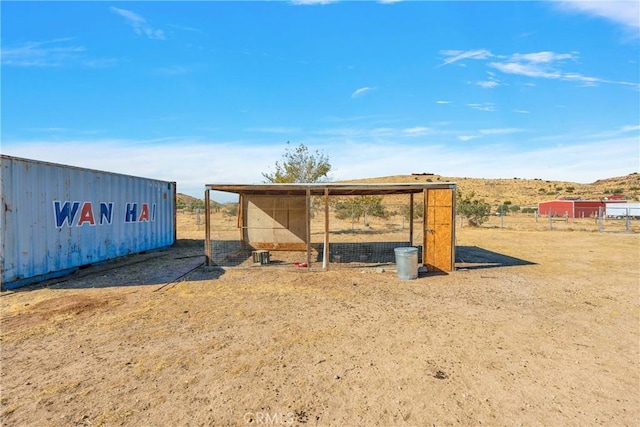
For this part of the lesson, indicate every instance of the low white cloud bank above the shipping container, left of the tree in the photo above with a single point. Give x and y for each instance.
(191, 163)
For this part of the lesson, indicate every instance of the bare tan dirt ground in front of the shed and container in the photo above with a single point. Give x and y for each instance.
(534, 328)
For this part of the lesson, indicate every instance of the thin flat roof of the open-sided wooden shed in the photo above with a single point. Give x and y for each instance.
(334, 189)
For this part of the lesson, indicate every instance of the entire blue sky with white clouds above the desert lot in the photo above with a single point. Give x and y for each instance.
(210, 92)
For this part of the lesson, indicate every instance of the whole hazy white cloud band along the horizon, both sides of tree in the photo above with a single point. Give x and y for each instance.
(193, 163)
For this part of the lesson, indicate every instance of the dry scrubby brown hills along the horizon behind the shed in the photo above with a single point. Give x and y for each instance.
(518, 191)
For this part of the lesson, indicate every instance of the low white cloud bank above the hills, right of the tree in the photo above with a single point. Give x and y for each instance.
(589, 161)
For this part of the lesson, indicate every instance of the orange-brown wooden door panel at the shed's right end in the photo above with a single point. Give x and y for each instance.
(439, 235)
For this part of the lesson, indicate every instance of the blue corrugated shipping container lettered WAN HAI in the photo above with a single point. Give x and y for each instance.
(55, 218)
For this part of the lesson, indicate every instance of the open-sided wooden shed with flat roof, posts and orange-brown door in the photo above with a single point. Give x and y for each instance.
(278, 216)
